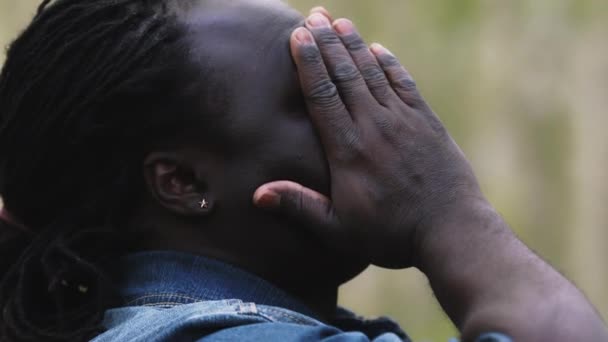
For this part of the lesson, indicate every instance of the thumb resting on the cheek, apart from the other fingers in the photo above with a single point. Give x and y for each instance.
(300, 203)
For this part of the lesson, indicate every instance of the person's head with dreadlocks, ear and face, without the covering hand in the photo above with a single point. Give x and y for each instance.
(127, 114)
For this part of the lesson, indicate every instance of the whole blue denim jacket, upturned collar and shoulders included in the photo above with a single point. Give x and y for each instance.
(171, 296)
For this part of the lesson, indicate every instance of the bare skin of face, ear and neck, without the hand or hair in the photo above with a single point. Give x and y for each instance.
(260, 131)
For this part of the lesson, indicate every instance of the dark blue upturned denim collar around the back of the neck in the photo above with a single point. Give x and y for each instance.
(156, 277)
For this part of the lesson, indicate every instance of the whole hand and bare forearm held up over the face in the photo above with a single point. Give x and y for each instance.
(390, 160)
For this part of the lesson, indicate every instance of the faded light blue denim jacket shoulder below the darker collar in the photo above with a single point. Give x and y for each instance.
(226, 320)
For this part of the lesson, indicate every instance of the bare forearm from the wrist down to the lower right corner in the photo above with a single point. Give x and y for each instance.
(488, 280)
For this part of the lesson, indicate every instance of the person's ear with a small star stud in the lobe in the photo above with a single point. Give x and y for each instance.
(174, 183)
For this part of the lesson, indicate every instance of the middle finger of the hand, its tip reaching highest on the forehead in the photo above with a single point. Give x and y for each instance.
(342, 70)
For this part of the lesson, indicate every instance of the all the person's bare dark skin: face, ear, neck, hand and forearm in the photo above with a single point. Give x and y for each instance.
(383, 183)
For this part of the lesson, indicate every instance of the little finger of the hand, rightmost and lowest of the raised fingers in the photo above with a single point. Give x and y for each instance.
(400, 79)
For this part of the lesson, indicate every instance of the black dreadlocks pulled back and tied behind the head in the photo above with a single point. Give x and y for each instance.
(87, 88)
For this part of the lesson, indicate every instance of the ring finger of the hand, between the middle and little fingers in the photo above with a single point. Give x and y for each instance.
(366, 62)
